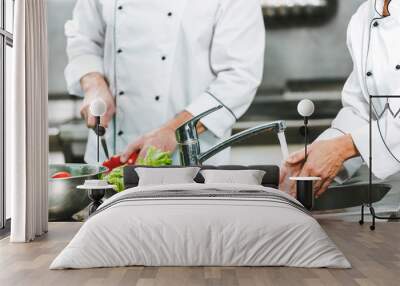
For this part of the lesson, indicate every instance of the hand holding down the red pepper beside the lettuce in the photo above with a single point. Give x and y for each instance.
(163, 138)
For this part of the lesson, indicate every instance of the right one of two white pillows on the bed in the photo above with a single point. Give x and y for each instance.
(243, 177)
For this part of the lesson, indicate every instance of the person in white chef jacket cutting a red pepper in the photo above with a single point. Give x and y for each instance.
(159, 63)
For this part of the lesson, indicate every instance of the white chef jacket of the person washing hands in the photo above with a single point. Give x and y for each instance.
(374, 45)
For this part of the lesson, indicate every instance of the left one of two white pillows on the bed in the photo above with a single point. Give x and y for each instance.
(166, 176)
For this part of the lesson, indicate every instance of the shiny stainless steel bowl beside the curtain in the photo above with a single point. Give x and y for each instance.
(64, 198)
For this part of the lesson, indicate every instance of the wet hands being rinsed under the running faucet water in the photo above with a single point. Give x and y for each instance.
(325, 159)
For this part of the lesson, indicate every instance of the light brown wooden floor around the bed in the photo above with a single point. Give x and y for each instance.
(375, 257)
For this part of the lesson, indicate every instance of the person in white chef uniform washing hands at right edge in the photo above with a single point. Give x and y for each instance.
(373, 40)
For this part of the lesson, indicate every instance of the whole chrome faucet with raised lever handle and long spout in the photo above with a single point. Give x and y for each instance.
(189, 145)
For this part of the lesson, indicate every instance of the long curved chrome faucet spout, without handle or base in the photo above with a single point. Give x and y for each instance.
(276, 126)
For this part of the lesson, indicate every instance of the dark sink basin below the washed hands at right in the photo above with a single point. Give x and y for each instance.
(341, 197)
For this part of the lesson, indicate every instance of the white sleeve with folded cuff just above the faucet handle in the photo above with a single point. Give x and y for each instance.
(237, 59)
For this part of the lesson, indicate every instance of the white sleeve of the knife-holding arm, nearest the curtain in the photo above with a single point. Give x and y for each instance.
(85, 43)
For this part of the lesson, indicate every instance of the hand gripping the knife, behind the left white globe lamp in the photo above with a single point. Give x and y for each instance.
(95, 86)
